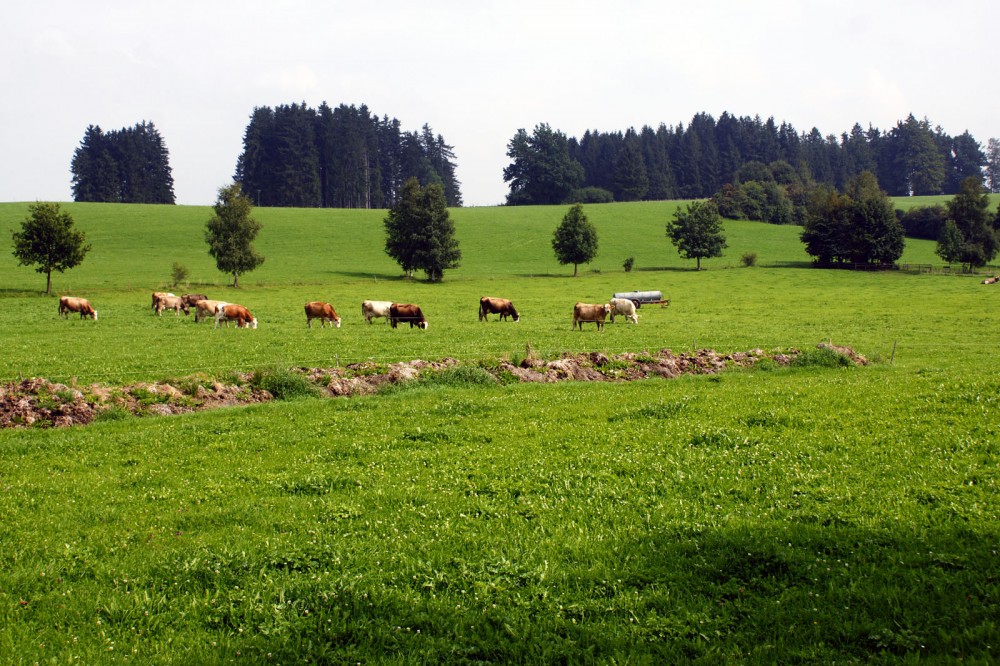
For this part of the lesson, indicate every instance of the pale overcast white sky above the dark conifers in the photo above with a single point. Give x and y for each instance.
(476, 71)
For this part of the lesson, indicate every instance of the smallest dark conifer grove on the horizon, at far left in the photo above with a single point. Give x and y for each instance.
(130, 165)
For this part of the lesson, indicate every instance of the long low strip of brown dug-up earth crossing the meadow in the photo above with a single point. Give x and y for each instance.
(38, 402)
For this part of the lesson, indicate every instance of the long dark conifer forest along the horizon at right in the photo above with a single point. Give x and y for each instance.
(696, 161)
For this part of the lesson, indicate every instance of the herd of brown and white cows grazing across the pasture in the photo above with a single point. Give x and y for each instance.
(394, 313)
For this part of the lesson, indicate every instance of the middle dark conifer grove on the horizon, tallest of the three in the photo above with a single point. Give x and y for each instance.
(343, 157)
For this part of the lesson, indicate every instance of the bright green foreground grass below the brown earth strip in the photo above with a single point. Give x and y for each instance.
(792, 515)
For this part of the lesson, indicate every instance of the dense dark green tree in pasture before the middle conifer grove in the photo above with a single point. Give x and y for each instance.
(419, 232)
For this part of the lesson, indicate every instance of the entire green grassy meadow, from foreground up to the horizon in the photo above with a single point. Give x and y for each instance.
(804, 514)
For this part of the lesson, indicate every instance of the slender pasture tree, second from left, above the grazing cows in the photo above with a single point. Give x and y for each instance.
(230, 234)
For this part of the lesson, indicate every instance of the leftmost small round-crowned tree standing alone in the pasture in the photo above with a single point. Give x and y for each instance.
(47, 238)
